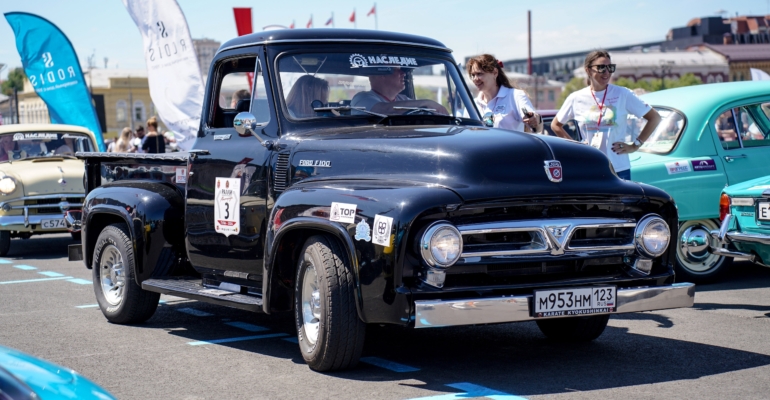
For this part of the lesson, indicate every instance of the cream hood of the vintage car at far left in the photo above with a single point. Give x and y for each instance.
(47, 176)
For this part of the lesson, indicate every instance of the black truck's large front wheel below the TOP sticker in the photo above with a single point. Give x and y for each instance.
(329, 331)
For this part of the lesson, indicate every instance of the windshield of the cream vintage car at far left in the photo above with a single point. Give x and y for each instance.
(16, 146)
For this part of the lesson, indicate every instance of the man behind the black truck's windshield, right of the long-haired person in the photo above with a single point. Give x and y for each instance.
(386, 94)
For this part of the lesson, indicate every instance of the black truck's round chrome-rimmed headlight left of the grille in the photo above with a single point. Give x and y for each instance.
(441, 245)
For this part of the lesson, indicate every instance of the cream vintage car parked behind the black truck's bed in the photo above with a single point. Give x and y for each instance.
(40, 178)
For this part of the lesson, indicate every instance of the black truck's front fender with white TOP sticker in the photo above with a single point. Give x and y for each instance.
(304, 211)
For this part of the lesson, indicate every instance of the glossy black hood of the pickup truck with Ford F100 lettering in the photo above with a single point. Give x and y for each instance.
(480, 164)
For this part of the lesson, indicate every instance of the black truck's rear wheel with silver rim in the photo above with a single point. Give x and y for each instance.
(113, 266)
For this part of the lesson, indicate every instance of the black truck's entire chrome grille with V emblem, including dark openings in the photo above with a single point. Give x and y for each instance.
(547, 237)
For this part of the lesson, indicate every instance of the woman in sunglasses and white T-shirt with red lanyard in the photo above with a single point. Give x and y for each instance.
(601, 110)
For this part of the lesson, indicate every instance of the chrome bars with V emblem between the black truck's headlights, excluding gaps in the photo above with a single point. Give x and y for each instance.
(552, 243)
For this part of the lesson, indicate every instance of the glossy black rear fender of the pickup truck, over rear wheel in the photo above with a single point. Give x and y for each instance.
(154, 214)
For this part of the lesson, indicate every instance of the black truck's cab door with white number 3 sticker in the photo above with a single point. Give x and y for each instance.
(226, 212)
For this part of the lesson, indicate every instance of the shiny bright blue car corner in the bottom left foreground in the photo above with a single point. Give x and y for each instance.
(23, 376)
